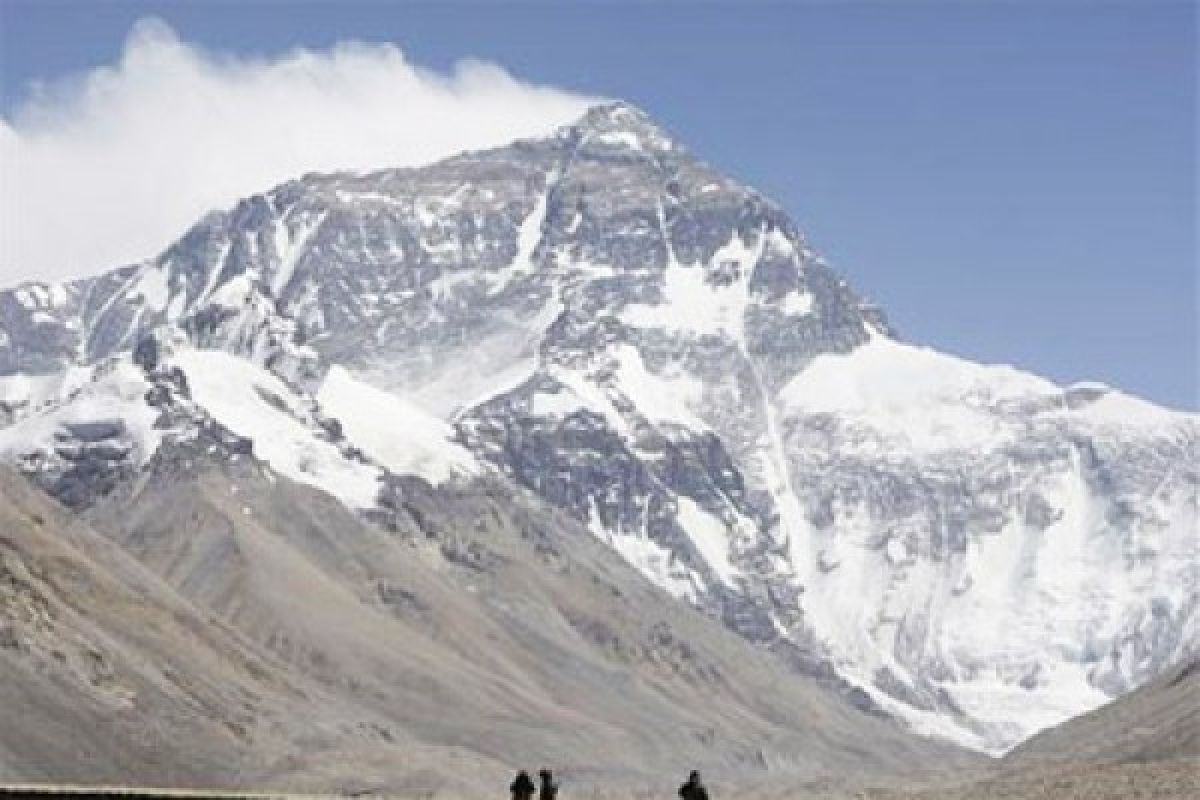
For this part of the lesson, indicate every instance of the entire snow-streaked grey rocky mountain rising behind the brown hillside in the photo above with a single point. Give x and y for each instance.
(656, 352)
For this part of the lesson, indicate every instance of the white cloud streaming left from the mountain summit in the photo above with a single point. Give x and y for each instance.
(110, 167)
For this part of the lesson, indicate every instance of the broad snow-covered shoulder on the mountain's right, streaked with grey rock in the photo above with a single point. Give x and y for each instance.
(1078, 578)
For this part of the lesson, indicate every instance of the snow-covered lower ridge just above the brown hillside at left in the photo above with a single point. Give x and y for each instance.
(115, 418)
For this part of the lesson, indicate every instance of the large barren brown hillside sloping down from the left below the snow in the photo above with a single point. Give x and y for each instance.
(221, 627)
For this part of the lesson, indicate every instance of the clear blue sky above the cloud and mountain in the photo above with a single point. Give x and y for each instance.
(1012, 182)
